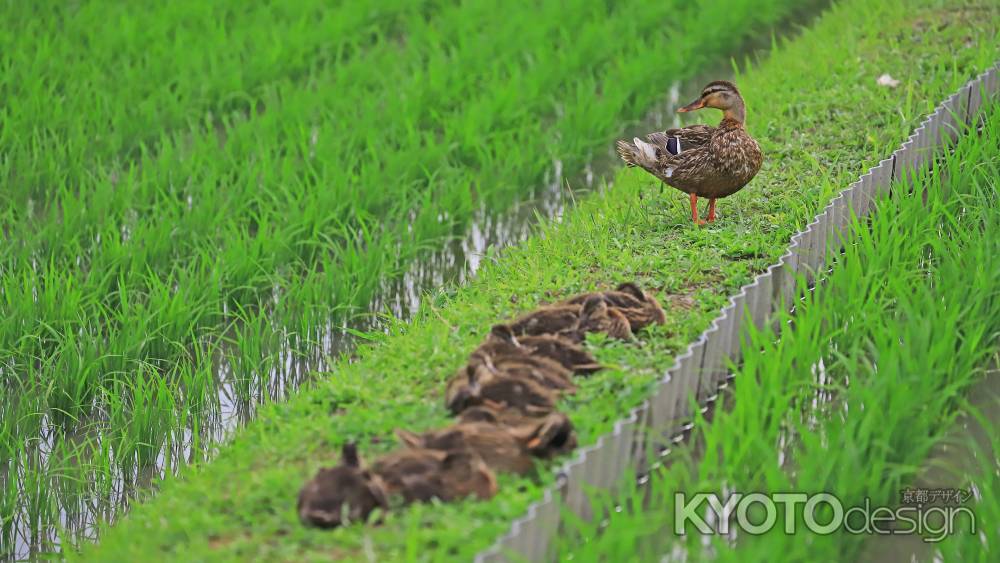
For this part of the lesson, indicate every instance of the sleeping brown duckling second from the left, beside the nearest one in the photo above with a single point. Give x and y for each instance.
(422, 474)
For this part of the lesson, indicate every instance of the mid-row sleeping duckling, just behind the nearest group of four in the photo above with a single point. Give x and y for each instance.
(474, 385)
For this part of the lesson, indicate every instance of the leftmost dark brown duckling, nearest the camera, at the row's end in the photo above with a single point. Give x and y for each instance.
(342, 494)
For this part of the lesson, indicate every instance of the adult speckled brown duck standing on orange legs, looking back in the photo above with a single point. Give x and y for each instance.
(701, 160)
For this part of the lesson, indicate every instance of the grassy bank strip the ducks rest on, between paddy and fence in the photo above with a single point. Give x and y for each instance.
(821, 119)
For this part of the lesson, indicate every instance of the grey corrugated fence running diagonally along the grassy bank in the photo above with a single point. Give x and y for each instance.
(649, 430)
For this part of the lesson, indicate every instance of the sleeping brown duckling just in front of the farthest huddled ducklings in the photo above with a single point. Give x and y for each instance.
(501, 340)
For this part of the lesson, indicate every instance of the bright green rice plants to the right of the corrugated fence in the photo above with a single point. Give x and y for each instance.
(866, 379)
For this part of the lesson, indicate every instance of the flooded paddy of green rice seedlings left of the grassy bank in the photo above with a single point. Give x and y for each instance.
(194, 193)
